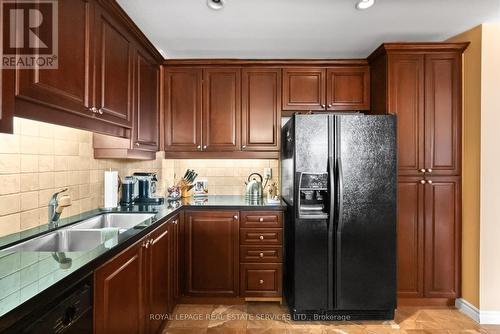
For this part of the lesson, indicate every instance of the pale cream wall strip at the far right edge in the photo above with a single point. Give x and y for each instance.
(490, 170)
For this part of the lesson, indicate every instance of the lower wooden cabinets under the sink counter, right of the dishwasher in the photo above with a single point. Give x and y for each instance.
(135, 289)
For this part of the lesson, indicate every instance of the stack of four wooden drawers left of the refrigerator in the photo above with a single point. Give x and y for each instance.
(261, 254)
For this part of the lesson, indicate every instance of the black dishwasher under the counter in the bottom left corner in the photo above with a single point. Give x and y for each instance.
(68, 313)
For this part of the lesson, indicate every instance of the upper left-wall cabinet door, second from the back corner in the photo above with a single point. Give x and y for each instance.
(113, 65)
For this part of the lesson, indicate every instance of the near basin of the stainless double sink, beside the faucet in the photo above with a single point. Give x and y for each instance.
(68, 240)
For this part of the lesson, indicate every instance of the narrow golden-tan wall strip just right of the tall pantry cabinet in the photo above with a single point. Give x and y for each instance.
(471, 145)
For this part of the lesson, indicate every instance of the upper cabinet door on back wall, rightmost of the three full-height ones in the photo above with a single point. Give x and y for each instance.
(261, 95)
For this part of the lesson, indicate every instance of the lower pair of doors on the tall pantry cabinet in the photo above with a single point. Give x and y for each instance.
(429, 237)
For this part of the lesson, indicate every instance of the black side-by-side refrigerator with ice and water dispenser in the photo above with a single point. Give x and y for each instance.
(338, 179)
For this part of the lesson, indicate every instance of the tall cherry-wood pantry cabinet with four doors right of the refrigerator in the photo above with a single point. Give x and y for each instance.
(421, 85)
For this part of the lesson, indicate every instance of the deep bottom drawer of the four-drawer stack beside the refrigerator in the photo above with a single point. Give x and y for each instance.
(261, 280)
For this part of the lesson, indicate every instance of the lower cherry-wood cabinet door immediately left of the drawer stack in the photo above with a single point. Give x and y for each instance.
(212, 253)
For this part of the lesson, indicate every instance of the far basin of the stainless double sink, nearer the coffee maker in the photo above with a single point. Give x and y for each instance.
(122, 221)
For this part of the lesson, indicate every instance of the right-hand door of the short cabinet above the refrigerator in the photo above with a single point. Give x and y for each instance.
(348, 88)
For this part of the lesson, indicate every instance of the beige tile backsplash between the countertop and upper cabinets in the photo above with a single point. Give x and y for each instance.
(40, 158)
